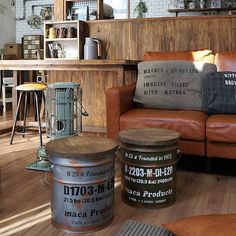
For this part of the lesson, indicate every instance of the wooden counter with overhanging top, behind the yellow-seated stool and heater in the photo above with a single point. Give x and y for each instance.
(95, 76)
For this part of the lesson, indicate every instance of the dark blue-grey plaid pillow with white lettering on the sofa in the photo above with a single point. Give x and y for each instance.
(219, 93)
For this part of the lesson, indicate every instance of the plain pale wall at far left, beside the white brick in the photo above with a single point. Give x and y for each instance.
(7, 23)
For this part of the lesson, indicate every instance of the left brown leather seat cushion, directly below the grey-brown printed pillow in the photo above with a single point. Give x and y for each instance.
(190, 124)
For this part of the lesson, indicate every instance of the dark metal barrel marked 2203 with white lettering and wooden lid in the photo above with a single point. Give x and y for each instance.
(148, 166)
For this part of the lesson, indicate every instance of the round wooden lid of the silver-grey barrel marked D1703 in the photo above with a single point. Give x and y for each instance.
(80, 147)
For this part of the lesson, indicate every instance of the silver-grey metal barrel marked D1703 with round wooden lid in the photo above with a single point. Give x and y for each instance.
(82, 177)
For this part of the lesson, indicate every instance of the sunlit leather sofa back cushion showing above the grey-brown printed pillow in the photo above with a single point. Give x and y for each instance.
(201, 55)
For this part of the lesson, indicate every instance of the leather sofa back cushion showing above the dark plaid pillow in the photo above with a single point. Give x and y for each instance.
(226, 61)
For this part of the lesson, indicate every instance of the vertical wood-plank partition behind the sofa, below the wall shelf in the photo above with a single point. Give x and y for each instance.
(131, 38)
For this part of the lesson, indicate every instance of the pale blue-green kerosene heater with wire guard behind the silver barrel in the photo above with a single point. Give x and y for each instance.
(63, 117)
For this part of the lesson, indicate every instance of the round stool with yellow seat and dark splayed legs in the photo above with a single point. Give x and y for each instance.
(24, 89)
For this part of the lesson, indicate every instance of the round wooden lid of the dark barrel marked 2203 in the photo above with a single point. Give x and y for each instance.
(149, 136)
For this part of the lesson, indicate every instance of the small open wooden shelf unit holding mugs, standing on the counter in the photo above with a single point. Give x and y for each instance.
(72, 47)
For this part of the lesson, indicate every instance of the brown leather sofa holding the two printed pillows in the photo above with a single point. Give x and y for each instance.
(202, 135)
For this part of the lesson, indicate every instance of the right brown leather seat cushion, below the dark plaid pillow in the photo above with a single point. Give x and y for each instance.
(221, 128)
